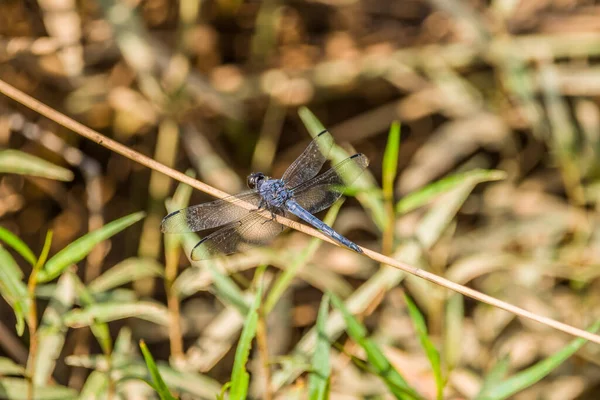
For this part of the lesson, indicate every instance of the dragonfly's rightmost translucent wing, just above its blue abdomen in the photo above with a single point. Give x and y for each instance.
(322, 191)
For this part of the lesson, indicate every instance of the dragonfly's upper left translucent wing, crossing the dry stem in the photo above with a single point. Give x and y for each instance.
(209, 215)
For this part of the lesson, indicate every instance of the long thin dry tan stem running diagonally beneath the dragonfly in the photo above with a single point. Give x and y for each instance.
(91, 134)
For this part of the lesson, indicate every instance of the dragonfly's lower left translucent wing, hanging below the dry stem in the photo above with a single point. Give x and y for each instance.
(252, 230)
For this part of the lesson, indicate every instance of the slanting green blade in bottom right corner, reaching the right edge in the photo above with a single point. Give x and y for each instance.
(535, 373)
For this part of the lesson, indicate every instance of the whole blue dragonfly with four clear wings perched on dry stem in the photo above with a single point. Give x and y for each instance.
(300, 192)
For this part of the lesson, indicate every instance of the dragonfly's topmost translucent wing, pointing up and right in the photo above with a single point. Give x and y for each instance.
(310, 162)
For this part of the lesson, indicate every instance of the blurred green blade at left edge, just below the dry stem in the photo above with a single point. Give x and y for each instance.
(18, 162)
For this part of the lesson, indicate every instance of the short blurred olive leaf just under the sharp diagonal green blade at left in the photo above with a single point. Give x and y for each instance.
(126, 271)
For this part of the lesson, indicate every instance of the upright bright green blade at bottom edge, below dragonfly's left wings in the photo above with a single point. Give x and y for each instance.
(239, 376)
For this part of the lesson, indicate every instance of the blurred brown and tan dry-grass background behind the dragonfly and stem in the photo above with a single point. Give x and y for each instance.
(217, 88)
